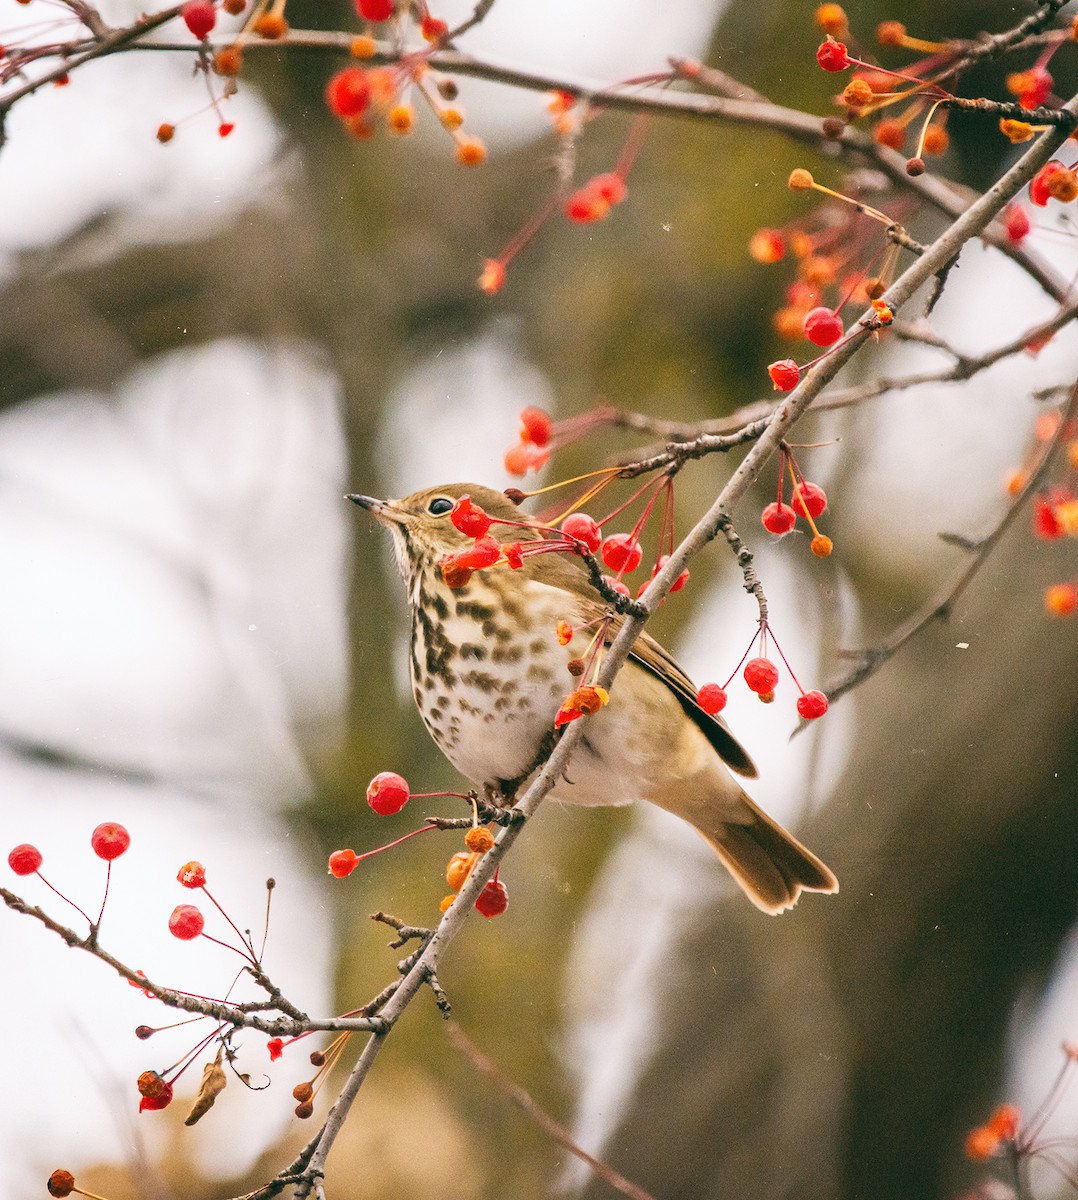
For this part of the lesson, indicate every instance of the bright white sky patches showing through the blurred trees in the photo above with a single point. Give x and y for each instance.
(172, 605)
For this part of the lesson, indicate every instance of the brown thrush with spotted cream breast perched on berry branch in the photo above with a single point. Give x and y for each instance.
(489, 675)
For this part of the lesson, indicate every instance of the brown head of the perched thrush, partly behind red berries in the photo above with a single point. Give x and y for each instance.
(423, 533)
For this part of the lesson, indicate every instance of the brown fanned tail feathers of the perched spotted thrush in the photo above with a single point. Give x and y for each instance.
(770, 866)
